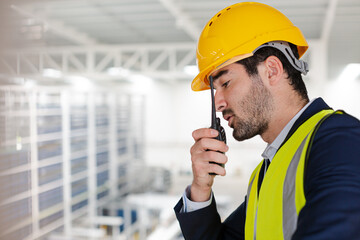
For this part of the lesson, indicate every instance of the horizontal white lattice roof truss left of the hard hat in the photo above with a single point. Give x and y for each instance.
(152, 58)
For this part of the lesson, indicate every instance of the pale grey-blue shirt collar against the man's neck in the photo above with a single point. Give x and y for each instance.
(272, 148)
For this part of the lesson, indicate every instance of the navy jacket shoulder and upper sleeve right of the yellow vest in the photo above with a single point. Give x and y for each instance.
(332, 182)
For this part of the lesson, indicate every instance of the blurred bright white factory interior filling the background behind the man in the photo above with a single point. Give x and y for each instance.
(96, 110)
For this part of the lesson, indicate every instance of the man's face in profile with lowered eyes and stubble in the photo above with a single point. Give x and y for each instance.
(244, 101)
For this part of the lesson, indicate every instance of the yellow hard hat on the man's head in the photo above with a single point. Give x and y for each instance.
(235, 32)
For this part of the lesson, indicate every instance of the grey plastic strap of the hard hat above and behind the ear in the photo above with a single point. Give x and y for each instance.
(284, 47)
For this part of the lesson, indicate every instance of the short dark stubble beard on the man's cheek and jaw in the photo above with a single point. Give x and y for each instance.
(257, 107)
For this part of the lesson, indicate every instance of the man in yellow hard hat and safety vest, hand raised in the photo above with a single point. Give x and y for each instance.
(308, 185)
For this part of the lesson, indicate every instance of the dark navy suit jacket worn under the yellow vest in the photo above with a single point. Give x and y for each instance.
(331, 185)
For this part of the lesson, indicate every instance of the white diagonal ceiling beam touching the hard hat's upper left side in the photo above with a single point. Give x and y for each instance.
(182, 19)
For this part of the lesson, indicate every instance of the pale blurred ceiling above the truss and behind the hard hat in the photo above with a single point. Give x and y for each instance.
(84, 23)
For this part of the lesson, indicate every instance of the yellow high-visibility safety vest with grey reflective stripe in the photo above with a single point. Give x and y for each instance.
(272, 213)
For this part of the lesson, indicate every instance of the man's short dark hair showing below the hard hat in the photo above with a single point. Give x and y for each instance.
(294, 75)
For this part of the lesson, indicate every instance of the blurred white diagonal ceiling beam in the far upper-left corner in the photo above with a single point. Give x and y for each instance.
(58, 27)
